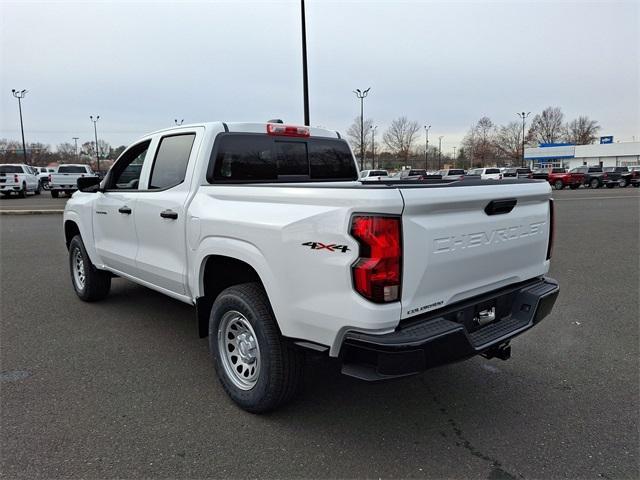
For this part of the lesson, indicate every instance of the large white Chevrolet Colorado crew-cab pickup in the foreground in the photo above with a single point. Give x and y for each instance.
(267, 231)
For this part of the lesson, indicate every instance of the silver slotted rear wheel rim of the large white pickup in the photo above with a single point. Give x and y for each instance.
(239, 350)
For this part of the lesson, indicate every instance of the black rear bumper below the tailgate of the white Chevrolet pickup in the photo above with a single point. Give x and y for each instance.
(449, 335)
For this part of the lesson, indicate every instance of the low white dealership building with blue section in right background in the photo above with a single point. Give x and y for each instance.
(571, 156)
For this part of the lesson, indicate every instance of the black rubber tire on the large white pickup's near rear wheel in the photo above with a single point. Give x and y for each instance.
(280, 367)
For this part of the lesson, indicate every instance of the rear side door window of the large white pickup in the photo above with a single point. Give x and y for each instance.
(170, 164)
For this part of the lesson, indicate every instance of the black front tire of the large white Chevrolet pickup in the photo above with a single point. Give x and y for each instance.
(97, 283)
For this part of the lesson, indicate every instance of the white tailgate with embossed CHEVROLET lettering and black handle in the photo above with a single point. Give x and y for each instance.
(458, 244)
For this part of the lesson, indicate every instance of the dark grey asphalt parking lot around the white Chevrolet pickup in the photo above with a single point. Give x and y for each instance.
(124, 388)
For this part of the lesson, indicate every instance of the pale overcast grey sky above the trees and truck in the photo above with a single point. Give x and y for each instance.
(140, 65)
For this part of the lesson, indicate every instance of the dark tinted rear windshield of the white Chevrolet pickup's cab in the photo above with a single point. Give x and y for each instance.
(261, 158)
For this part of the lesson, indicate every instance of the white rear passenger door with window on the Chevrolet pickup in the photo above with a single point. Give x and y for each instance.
(161, 211)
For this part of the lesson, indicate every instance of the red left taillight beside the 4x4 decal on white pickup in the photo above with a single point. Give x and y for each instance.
(376, 273)
